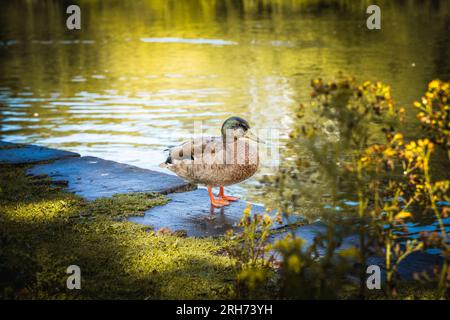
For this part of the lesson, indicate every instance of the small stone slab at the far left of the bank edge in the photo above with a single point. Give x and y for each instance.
(11, 153)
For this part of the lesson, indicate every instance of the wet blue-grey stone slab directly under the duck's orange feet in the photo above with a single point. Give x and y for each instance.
(192, 212)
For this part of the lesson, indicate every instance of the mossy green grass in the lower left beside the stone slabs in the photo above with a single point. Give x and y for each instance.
(44, 229)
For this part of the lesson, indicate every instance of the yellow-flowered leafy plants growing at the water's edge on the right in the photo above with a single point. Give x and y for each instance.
(352, 146)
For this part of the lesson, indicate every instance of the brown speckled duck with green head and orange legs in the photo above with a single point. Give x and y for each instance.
(217, 161)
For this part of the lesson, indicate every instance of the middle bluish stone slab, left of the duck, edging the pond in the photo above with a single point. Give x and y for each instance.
(92, 178)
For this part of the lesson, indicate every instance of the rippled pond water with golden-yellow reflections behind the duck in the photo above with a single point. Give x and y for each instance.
(138, 74)
